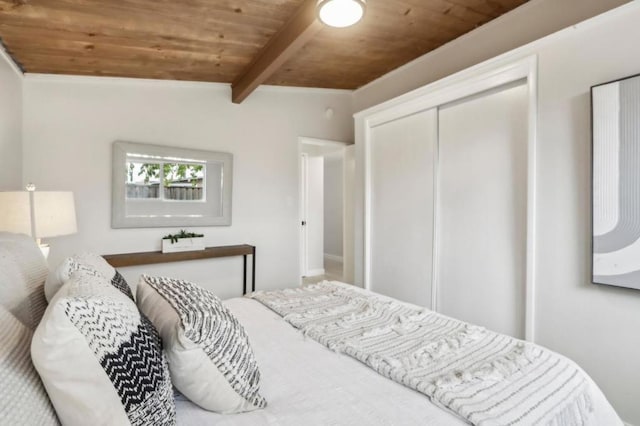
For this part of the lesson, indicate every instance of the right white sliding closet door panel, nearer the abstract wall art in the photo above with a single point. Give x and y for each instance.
(482, 210)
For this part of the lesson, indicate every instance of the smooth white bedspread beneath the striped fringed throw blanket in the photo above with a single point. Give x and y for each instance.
(306, 384)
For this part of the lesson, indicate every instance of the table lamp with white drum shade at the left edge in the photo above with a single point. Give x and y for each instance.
(40, 214)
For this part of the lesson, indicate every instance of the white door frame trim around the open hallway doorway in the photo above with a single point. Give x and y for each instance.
(303, 198)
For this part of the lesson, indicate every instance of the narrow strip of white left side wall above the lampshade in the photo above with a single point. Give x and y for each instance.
(10, 124)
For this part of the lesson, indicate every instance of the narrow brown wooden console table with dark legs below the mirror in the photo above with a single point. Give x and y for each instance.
(152, 257)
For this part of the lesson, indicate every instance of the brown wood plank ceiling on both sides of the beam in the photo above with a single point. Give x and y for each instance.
(219, 40)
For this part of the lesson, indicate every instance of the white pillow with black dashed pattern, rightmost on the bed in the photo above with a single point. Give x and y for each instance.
(210, 358)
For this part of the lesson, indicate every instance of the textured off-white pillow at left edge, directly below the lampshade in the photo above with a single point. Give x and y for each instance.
(23, 271)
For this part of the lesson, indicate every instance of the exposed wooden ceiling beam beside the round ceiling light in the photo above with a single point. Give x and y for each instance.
(301, 28)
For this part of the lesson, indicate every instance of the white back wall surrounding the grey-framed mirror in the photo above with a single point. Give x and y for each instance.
(71, 122)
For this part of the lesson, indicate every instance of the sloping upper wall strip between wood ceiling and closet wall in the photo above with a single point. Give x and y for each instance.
(529, 22)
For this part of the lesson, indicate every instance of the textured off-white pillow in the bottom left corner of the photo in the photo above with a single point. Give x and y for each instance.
(24, 400)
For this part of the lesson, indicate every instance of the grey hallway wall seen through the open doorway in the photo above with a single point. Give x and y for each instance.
(333, 211)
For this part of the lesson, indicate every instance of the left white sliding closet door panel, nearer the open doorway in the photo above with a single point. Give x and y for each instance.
(401, 190)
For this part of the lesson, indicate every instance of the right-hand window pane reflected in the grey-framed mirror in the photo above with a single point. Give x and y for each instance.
(184, 181)
